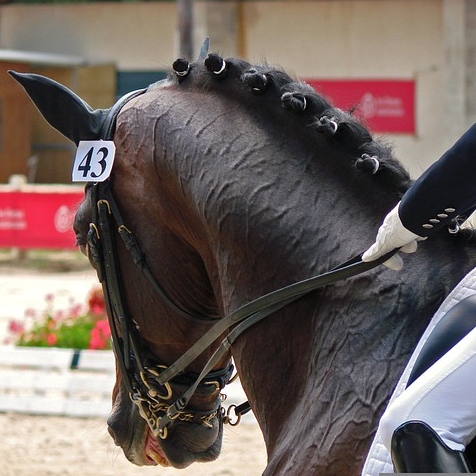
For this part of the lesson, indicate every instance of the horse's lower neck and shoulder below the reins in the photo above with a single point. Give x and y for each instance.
(338, 353)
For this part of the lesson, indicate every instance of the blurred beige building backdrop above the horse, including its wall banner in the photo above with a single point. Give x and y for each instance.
(410, 65)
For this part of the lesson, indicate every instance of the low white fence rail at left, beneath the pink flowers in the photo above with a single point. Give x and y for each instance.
(50, 381)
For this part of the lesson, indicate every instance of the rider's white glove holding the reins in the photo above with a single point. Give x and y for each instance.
(392, 234)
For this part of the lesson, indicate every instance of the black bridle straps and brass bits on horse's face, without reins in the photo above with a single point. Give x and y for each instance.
(140, 370)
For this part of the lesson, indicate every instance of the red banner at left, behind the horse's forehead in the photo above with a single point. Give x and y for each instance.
(38, 216)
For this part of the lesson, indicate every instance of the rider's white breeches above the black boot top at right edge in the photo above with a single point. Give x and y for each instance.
(444, 397)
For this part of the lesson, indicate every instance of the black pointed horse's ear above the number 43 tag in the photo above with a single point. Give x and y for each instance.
(63, 109)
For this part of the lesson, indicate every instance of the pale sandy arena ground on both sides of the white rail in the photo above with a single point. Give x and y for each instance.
(59, 446)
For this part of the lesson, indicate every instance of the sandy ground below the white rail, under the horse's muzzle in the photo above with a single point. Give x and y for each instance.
(58, 446)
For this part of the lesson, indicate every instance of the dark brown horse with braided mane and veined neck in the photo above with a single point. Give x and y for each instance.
(236, 180)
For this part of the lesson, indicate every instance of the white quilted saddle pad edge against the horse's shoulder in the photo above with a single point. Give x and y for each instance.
(378, 460)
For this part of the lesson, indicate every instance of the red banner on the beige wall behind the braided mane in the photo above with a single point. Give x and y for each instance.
(384, 105)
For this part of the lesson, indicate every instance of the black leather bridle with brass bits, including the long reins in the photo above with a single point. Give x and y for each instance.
(162, 393)
